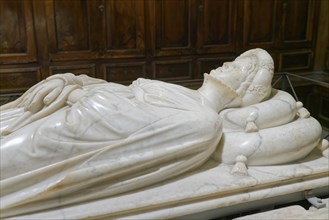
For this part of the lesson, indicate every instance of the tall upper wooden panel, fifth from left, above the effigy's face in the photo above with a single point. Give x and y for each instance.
(216, 26)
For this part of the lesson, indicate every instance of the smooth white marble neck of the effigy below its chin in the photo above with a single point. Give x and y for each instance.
(217, 95)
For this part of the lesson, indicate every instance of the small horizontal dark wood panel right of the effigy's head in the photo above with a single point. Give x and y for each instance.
(295, 61)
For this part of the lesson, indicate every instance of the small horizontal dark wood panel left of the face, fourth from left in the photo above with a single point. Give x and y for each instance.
(172, 69)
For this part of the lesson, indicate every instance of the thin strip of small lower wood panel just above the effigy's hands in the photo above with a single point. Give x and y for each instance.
(88, 69)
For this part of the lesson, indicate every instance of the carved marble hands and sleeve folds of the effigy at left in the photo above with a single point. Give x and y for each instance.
(44, 98)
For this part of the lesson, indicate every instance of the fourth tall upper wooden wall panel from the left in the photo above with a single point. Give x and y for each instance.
(173, 24)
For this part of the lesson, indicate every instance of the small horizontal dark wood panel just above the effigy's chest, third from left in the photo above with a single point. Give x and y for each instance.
(124, 72)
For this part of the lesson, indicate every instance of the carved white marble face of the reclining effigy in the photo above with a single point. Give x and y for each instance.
(233, 74)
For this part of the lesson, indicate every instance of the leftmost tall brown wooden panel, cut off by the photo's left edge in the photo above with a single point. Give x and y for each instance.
(17, 44)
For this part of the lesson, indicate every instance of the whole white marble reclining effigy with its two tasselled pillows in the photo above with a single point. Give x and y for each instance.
(70, 133)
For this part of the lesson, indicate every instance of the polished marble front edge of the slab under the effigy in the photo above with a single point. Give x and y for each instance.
(179, 210)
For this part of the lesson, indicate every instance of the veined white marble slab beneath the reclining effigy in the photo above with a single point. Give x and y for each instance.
(210, 187)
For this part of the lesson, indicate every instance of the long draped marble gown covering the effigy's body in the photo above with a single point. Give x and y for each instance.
(116, 139)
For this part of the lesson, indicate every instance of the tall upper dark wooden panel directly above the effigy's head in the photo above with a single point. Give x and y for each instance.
(259, 24)
